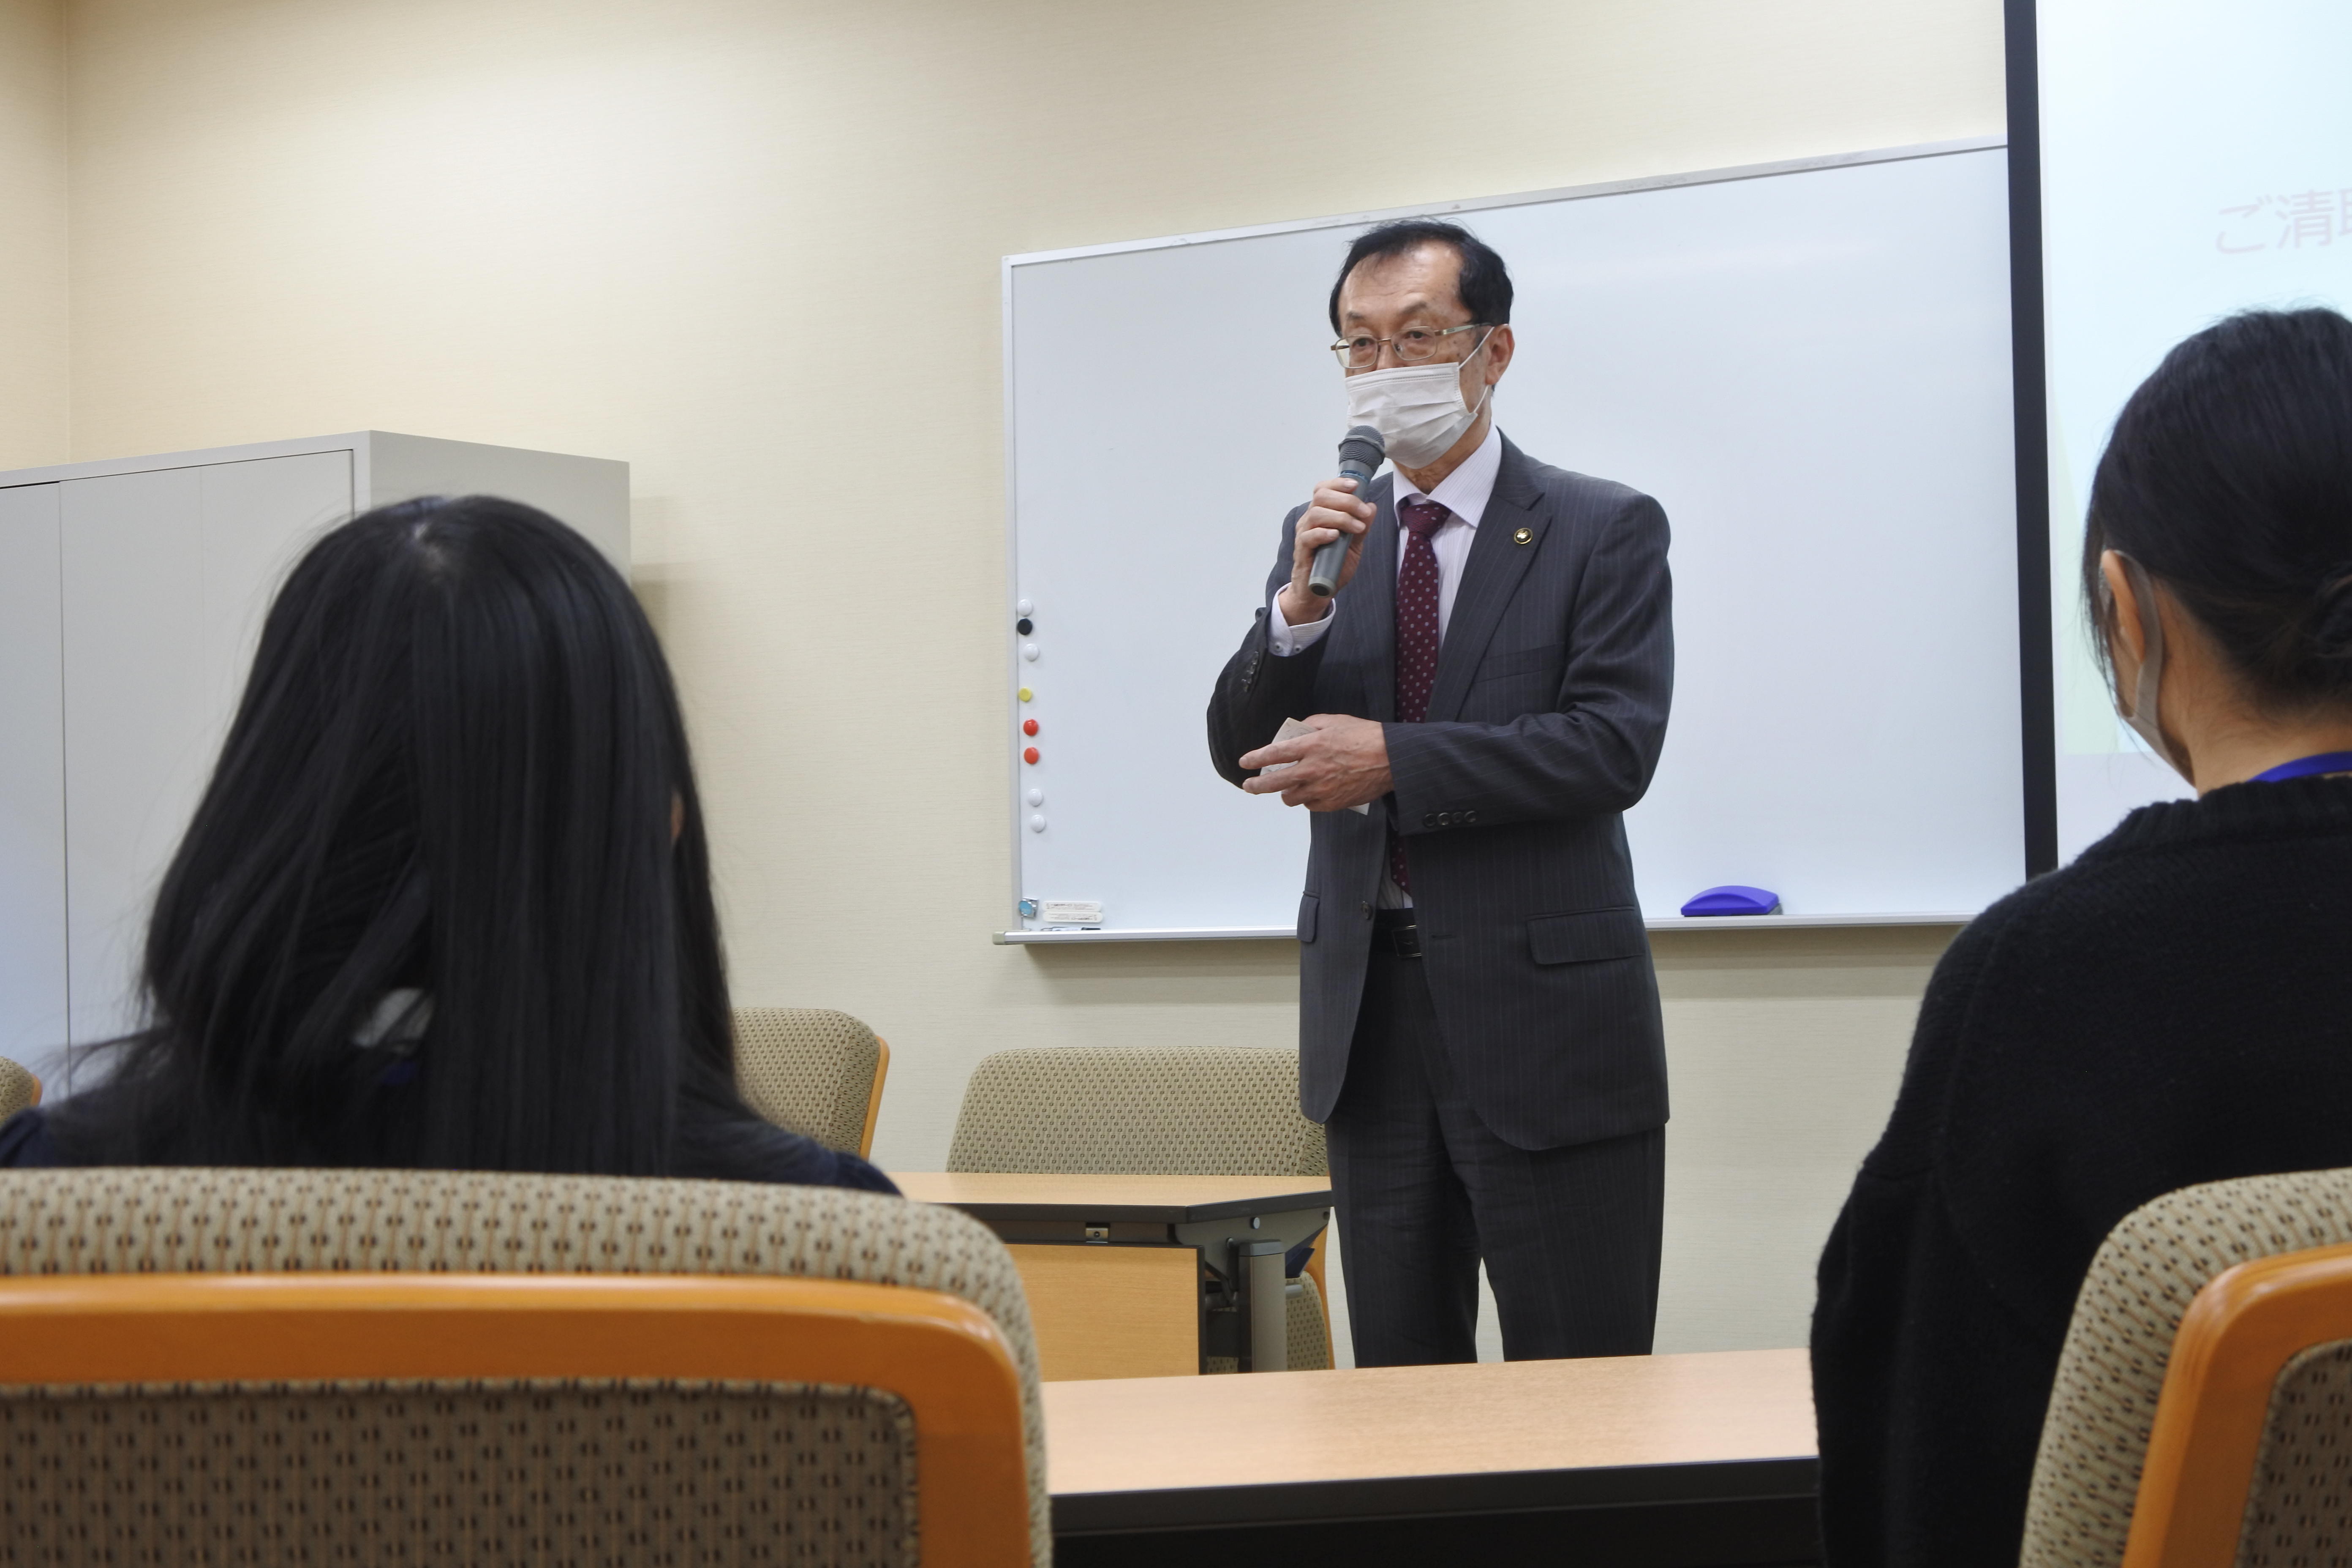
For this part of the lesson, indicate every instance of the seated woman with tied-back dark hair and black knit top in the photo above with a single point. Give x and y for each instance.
(2170, 1010)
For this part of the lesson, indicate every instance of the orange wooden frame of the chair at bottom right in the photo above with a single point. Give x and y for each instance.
(2236, 1339)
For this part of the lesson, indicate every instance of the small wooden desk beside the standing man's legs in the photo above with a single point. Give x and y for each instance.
(1144, 1275)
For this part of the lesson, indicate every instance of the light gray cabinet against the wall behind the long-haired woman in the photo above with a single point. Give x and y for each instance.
(131, 603)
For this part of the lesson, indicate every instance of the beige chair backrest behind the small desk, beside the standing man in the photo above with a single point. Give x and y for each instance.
(1125, 1111)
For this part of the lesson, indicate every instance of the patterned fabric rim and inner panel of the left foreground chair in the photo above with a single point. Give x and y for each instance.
(838, 1459)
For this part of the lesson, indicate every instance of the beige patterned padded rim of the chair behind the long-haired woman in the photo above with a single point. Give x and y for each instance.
(185, 1221)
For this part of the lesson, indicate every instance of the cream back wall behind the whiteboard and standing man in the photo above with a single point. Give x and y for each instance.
(754, 250)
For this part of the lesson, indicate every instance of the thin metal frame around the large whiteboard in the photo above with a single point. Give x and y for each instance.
(1356, 220)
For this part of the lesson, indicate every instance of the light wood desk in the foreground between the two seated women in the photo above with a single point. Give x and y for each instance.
(1690, 1461)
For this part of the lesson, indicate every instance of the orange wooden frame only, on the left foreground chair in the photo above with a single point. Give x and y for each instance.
(940, 1353)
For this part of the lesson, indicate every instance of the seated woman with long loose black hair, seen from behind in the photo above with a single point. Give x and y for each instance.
(446, 902)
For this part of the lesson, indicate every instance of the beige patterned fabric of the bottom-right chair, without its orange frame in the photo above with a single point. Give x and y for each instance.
(2116, 1353)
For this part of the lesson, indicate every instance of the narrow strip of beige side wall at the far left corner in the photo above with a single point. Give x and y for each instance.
(34, 297)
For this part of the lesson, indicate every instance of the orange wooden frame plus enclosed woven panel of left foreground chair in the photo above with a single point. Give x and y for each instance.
(507, 1421)
